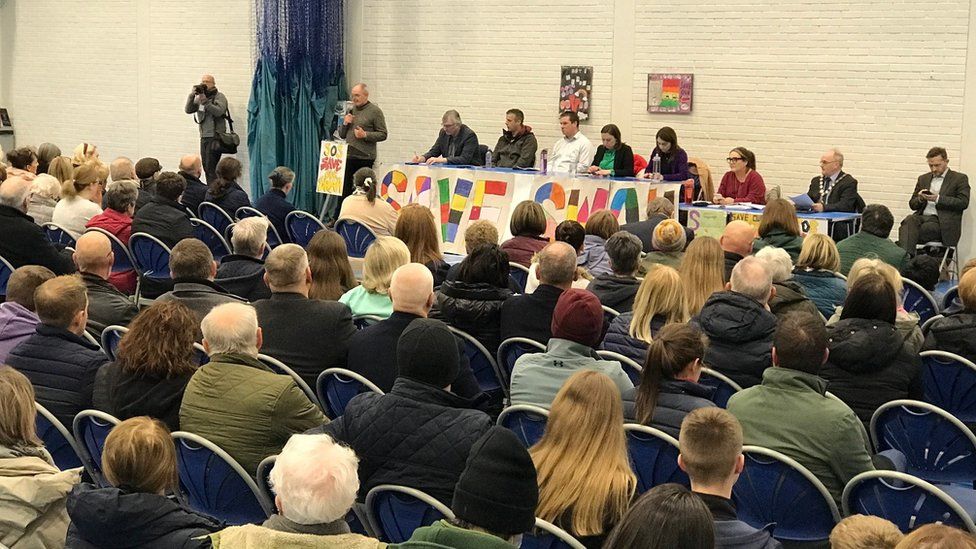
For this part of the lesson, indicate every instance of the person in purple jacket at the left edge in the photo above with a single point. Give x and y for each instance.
(18, 319)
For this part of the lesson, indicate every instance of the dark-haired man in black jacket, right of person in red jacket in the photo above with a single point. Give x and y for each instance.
(164, 217)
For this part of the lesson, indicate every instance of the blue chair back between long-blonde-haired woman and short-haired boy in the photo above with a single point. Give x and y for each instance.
(653, 457)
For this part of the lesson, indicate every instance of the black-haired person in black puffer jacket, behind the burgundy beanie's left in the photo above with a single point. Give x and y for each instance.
(473, 302)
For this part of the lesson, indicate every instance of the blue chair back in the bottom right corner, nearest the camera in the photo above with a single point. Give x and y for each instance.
(908, 501)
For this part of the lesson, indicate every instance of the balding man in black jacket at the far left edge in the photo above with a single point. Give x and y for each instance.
(23, 241)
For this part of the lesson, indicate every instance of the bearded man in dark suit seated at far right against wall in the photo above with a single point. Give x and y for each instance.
(938, 201)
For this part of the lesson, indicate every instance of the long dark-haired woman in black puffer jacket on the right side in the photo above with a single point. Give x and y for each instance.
(870, 362)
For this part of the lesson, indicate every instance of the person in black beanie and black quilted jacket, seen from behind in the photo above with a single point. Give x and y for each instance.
(419, 434)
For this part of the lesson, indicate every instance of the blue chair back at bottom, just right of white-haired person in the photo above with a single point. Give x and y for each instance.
(396, 511)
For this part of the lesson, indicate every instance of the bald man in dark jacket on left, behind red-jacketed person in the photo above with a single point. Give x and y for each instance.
(106, 305)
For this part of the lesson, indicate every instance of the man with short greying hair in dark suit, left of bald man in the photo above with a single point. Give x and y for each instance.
(288, 317)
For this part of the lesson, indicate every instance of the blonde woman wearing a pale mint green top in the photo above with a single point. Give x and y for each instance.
(372, 297)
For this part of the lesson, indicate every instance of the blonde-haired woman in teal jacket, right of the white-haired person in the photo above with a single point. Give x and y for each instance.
(816, 271)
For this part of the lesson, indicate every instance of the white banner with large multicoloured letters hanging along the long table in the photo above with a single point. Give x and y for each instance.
(458, 195)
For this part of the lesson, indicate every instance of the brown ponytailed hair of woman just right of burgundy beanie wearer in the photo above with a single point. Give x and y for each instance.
(675, 347)
